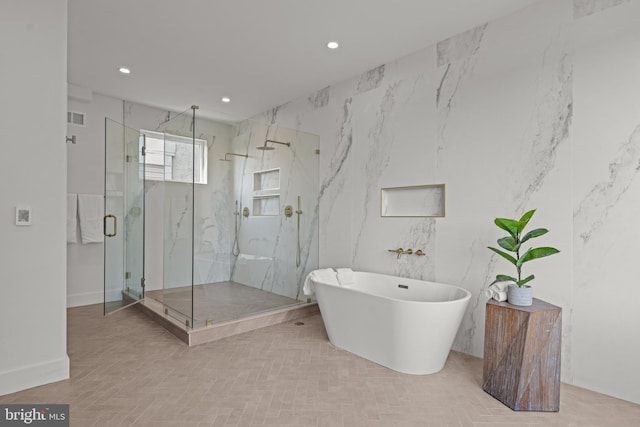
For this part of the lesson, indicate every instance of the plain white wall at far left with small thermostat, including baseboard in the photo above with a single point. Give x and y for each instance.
(33, 38)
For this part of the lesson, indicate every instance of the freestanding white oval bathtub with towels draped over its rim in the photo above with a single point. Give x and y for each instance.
(406, 325)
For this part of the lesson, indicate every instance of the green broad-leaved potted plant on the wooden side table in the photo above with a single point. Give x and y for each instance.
(518, 292)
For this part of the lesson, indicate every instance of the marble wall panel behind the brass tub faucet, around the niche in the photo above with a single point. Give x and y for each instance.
(391, 147)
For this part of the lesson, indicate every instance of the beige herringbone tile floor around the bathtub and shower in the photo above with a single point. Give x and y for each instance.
(128, 371)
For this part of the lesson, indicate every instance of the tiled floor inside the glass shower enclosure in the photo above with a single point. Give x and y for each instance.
(220, 301)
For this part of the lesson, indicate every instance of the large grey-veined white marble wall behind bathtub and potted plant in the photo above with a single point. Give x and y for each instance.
(534, 110)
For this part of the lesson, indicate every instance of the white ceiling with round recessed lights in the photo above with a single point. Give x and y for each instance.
(260, 53)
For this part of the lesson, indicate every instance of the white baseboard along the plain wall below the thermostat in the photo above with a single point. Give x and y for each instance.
(34, 375)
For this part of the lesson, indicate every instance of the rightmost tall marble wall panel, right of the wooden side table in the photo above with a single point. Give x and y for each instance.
(606, 190)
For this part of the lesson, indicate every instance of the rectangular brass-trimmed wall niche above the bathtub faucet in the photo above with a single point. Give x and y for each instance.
(413, 201)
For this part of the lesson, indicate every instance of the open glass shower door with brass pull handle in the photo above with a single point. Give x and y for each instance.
(123, 222)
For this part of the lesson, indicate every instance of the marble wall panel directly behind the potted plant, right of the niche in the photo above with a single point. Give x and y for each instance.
(503, 149)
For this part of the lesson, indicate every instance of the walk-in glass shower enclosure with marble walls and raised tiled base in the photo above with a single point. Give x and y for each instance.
(210, 270)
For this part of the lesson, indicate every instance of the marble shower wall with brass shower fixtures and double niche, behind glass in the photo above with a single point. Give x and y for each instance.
(267, 239)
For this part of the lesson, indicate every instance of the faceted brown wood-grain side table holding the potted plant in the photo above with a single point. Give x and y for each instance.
(522, 355)
